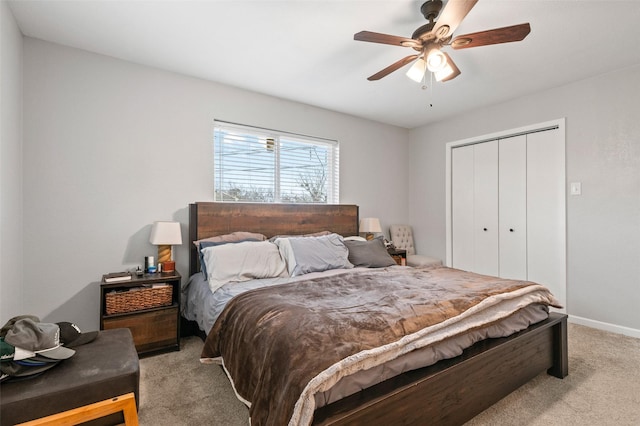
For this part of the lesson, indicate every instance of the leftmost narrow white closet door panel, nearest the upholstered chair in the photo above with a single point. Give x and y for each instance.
(462, 208)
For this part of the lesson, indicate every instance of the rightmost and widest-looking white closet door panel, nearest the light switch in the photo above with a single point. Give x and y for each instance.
(546, 218)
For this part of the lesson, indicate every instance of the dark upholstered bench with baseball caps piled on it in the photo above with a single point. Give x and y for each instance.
(105, 368)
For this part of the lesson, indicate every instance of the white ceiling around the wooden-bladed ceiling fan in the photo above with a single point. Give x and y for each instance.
(304, 50)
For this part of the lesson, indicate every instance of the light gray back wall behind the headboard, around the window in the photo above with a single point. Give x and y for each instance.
(111, 146)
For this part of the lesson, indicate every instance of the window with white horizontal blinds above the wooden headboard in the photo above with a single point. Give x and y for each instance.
(267, 166)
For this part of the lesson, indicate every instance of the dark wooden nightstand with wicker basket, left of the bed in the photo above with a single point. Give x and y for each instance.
(147, 307)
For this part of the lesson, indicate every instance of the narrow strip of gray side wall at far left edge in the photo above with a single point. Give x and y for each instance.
(11, 256)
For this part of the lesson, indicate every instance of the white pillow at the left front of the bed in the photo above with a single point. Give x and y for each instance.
(242, 261)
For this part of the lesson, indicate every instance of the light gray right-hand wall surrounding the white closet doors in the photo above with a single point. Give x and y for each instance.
(602, 152)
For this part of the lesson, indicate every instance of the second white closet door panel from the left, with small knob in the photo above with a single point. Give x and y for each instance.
(485, 188)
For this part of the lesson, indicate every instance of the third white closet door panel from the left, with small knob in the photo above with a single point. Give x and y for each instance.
(513, 207)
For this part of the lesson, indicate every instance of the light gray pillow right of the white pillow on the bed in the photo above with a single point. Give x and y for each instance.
(313, 254)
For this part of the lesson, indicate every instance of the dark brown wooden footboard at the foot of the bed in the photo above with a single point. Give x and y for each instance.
(453, 391)
